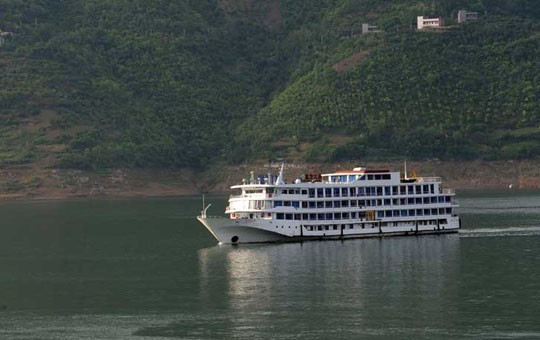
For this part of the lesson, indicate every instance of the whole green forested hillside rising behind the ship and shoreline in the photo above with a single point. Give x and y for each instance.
(95, 84)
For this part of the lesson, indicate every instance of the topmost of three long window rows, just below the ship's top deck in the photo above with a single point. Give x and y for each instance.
(363, 191)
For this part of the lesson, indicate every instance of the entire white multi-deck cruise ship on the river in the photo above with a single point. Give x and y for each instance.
(342, 205)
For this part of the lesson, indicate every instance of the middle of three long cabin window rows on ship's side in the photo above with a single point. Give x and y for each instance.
(363, 203)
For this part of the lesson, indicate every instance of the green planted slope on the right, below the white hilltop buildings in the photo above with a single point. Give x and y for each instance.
(419, 94)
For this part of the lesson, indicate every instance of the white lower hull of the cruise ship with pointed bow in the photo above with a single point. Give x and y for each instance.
(235, 231)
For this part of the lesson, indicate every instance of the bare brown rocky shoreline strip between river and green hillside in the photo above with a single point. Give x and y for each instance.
(31, 183)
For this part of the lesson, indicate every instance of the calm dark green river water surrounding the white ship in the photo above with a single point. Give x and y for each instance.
(145, 269)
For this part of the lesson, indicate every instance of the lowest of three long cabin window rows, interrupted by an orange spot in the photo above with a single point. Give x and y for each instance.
(361, 214)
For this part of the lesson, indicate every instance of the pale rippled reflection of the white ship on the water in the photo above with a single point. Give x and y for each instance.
(336, 284)
